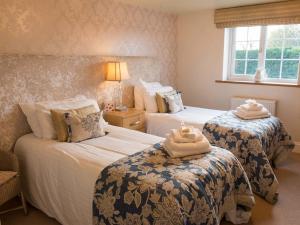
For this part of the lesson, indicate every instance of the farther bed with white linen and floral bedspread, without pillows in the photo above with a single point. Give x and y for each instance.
(258, 144)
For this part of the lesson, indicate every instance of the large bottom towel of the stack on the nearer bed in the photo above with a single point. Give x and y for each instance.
(176, 150)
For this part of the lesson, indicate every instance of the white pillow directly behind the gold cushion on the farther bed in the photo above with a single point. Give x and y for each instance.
(150, 98)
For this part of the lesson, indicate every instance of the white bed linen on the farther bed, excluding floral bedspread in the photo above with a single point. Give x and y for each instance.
(160, 124)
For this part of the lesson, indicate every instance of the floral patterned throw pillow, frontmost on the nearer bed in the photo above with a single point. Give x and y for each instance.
(83, 128)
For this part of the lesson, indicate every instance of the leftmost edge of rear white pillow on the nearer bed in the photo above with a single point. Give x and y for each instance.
(29, 110)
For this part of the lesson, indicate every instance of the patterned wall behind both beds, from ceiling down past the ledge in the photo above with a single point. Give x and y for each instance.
(53, 49)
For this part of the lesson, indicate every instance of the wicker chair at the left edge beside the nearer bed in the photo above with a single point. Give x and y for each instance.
(10, 185)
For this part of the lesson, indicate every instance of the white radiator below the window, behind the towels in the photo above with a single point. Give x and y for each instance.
(268, 103)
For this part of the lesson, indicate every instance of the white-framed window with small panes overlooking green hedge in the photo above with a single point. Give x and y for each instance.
(274, 48)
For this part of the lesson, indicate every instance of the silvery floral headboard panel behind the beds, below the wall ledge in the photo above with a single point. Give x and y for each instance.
(28, 78)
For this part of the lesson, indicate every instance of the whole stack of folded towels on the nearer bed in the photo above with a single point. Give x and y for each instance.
(185, 142)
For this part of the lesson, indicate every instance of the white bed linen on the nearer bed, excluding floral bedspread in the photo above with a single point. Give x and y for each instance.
(59, 178)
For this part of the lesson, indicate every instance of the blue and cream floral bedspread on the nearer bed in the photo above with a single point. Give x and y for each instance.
(149, 187)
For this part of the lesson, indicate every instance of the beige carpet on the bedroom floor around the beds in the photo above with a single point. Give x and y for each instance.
(285, 212)
